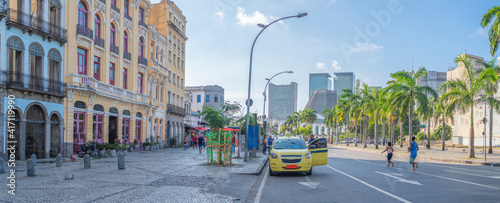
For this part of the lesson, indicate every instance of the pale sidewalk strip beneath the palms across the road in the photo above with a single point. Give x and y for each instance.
(453, 156)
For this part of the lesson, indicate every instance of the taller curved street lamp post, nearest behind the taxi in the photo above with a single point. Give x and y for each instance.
(249, 102)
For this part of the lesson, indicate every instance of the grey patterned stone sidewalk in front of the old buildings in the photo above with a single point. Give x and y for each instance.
(165, 175)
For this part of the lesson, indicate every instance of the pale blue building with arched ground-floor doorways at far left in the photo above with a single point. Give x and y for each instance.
(32, 38)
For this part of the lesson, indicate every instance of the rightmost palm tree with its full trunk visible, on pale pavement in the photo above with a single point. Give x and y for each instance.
(463, 93)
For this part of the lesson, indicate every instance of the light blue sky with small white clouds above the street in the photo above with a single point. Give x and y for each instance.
(370, 38)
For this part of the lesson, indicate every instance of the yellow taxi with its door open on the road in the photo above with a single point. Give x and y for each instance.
(292, 154)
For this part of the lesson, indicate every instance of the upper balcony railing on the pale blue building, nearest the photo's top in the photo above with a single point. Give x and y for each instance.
(35, 24)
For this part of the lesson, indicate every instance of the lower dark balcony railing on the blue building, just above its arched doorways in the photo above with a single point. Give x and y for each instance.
(28, 82)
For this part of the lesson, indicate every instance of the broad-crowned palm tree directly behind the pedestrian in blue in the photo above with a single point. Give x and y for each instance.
(405, 91)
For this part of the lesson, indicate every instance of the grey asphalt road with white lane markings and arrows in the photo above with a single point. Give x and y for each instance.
(352, 176)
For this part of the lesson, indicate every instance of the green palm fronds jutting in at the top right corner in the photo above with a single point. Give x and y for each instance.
(492, 18)
